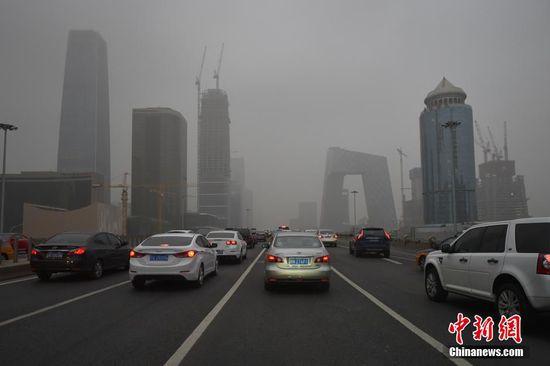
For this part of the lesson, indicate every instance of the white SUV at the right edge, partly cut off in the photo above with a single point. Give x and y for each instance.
(506, 262)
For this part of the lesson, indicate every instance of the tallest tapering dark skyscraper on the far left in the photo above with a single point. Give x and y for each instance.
(84, 142)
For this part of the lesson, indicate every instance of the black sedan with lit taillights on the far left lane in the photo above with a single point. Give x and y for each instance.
(88, 253)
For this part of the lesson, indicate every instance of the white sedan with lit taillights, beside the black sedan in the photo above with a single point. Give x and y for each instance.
(172, 256)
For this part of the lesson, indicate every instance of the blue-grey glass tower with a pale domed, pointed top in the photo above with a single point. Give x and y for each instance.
(447, 103)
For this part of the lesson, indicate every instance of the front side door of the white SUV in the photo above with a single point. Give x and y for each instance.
(454, 266)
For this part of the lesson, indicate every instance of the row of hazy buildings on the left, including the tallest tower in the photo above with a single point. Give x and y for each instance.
(38, 201)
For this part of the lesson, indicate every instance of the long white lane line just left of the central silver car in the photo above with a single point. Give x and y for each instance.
(186, 346)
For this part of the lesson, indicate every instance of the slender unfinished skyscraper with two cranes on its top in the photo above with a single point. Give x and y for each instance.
(213, 155)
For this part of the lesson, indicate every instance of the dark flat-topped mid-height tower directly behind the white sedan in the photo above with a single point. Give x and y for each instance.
(159, 169)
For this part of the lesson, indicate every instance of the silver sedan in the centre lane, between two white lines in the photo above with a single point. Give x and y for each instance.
(297, 258)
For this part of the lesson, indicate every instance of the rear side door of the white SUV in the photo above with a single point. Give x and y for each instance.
(486, 262)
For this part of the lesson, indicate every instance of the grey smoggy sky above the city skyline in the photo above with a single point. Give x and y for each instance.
(301, 76)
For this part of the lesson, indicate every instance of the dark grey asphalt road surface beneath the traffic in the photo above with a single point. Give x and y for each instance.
(376, 312)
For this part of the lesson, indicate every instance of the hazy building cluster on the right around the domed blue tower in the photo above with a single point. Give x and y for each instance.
(497, 194)
